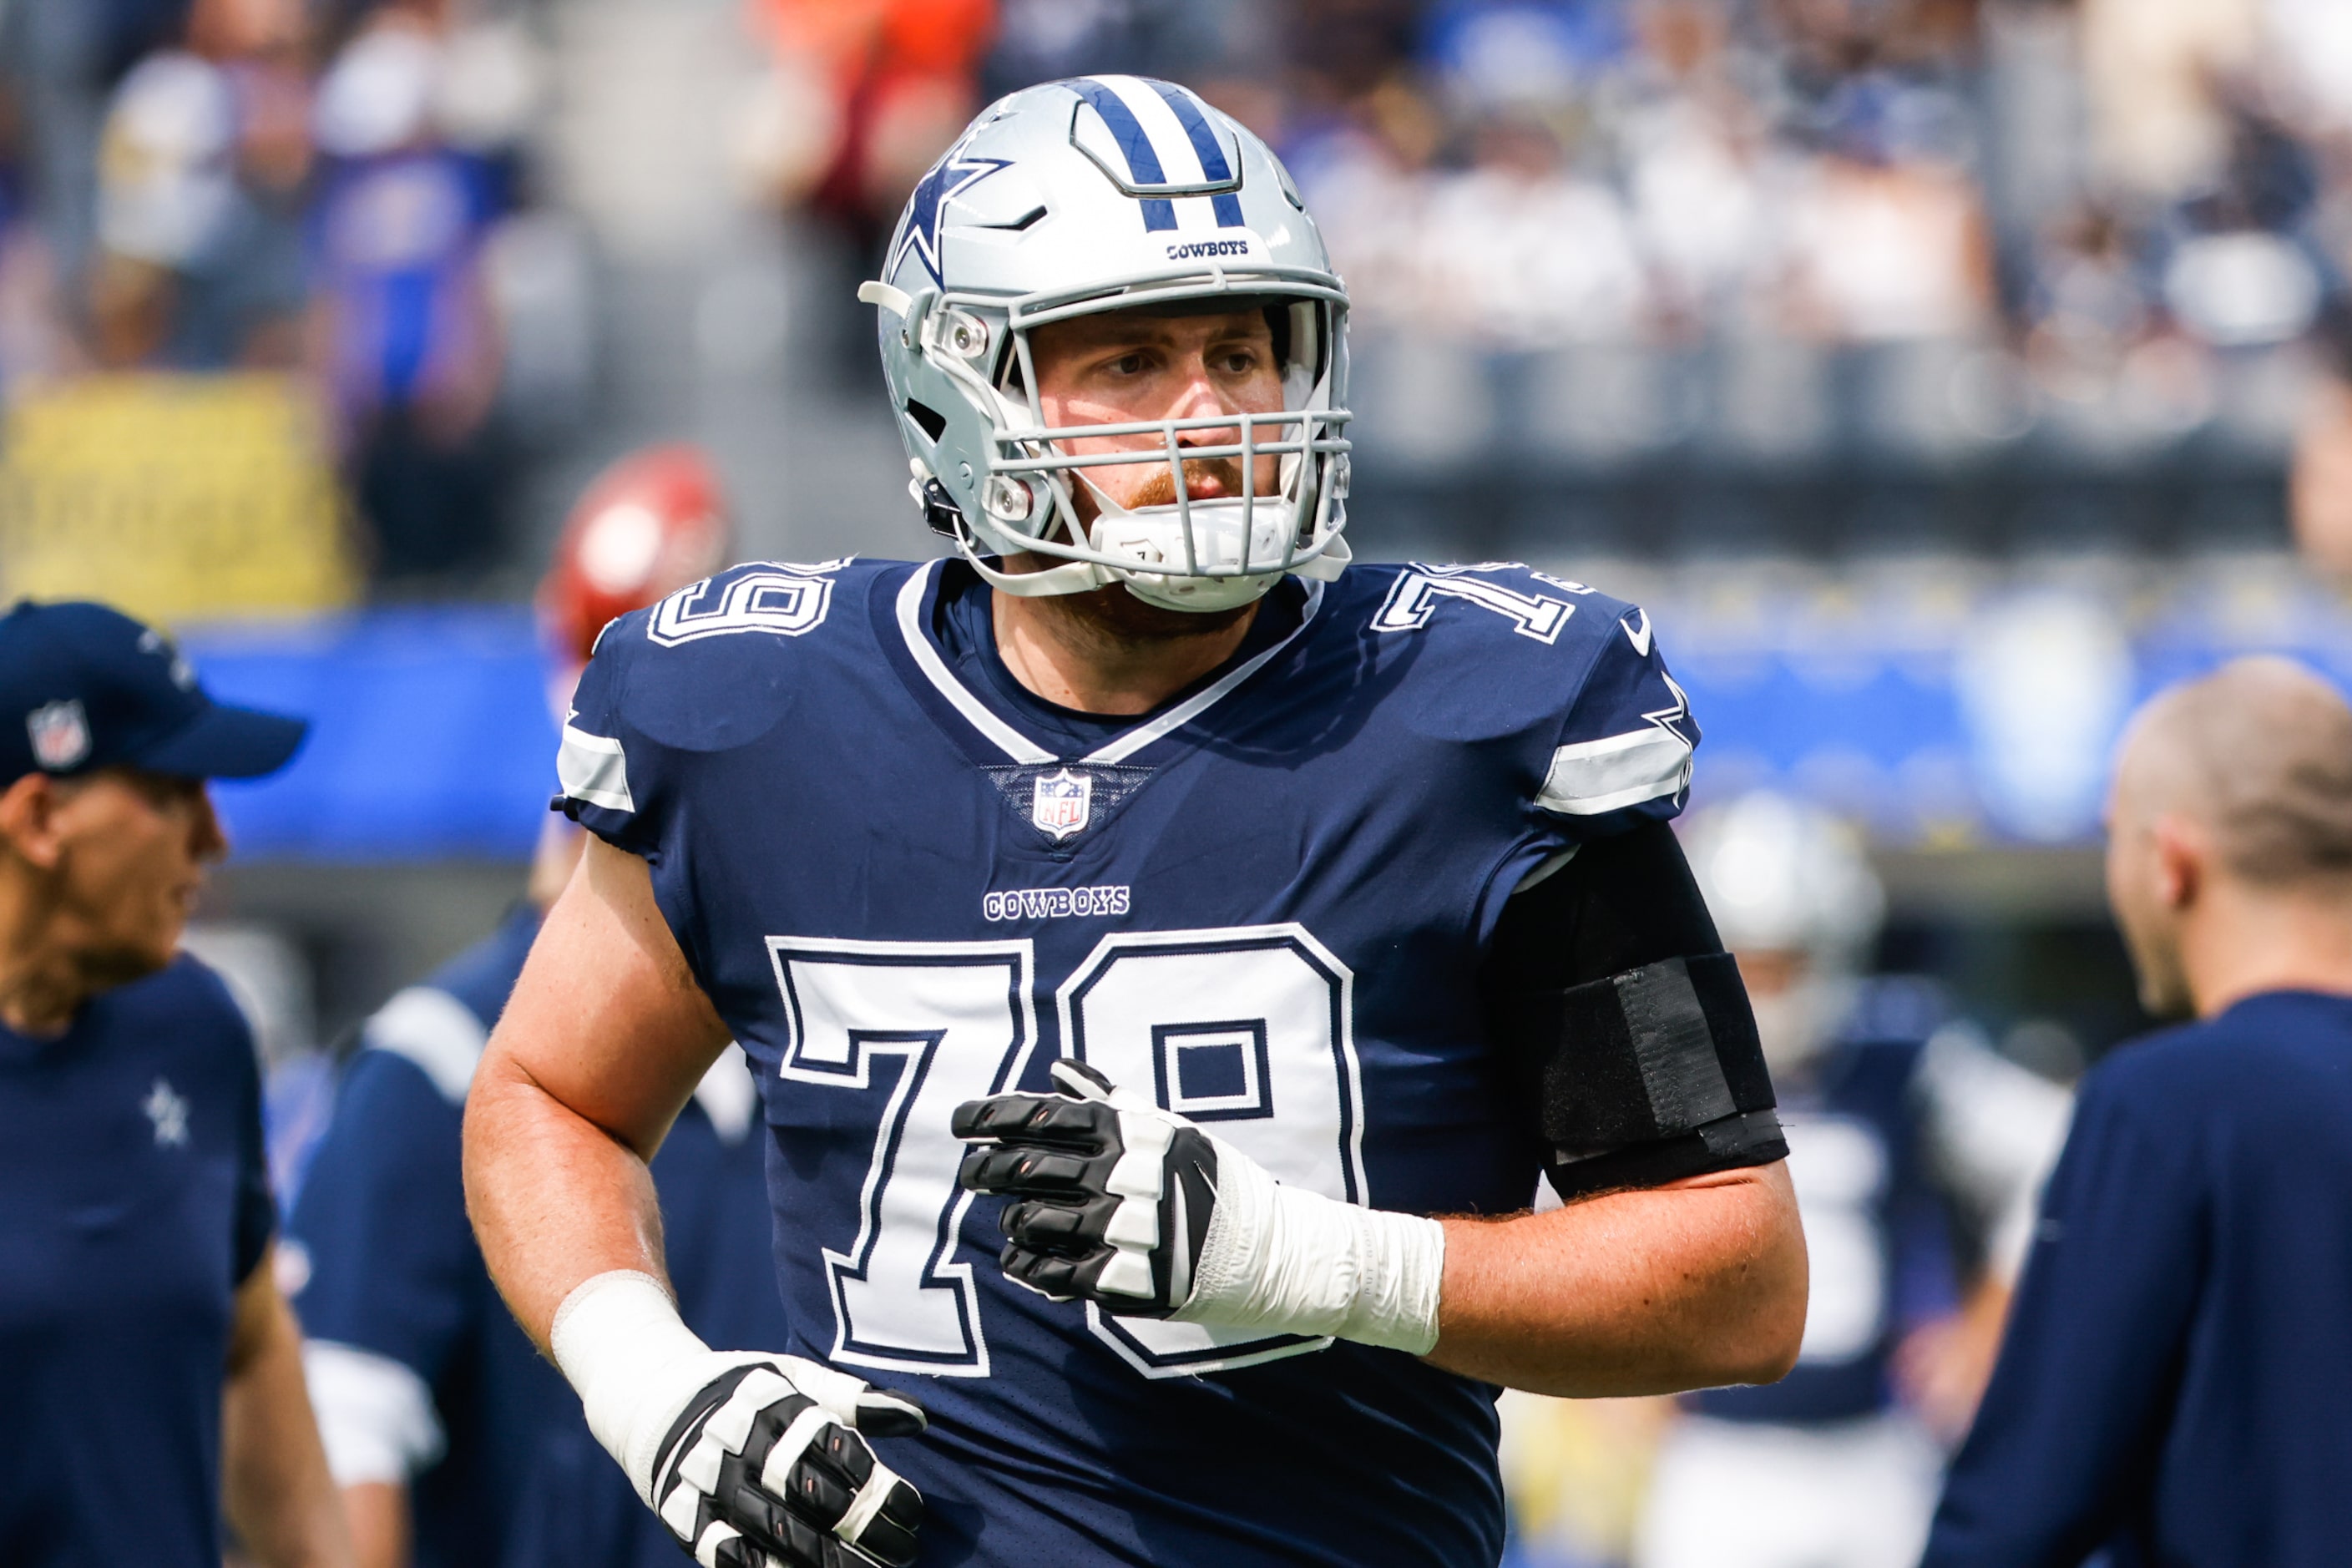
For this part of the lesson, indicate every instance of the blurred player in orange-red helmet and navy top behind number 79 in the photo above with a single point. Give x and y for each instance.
(446, 1430)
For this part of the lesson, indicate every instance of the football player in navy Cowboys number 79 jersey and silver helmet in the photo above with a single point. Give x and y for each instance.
(1168, 953)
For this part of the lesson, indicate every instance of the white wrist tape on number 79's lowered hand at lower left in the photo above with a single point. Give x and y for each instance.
(634, 1365)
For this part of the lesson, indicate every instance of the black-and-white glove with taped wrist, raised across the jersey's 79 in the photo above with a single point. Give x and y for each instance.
(1144, 1214)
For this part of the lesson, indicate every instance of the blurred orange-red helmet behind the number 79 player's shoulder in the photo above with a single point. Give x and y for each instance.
(646, 528)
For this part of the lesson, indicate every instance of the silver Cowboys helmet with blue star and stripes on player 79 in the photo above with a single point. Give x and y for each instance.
(1111, 194)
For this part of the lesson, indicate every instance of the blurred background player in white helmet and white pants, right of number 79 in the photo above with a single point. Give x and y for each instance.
(1892, 1141)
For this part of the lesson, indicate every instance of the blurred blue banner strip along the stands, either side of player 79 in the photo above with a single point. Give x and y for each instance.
(1925, 704)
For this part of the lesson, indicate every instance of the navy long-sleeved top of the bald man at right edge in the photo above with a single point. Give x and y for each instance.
(2179, 1369)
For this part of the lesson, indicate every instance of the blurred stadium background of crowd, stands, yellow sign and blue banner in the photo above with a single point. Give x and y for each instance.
(1942, 375)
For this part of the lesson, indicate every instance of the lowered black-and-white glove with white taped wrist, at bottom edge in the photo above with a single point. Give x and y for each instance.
(754, 1461)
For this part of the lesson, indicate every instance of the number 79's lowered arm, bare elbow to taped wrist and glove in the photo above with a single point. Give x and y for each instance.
(599, 1050)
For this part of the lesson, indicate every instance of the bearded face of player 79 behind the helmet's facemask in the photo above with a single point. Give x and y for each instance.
(1125, 366)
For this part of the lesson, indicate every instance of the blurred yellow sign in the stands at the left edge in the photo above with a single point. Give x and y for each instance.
(173, 497)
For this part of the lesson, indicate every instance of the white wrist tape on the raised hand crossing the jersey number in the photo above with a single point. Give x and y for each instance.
(1295, 1261)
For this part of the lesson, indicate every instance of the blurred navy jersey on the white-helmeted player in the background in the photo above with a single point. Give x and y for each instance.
(1876, 1233)
